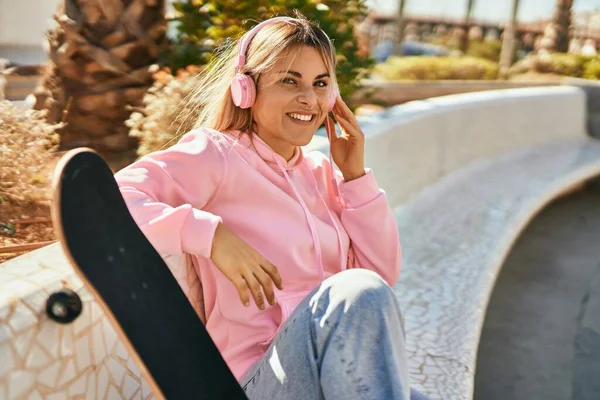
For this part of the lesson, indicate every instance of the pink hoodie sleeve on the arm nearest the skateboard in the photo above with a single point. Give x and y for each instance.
(166, 193)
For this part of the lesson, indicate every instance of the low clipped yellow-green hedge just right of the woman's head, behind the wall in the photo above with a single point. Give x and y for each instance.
(436, 68)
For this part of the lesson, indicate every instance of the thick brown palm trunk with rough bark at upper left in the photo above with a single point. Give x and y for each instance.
(101, 57)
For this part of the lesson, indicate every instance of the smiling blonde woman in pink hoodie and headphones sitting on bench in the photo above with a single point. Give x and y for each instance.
(296, 260)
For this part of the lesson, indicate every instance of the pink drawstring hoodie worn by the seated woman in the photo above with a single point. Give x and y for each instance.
(290, 212)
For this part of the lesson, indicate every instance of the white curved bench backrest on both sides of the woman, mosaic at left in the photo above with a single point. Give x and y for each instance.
(410, 147)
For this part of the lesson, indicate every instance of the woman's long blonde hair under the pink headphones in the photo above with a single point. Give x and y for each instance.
(211, 101)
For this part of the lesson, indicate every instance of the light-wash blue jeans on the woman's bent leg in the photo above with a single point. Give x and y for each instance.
(344, 341)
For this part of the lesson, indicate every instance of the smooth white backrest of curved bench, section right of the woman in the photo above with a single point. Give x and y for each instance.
(412, 146)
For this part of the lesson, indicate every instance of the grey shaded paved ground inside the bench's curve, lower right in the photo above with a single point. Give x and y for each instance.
(541, 338)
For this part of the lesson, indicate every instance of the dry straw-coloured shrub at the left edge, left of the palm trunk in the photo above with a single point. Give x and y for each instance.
(26, 144)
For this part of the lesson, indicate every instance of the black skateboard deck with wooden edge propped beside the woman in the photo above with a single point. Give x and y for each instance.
(133, 285)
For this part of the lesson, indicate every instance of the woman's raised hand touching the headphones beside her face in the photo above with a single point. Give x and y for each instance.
(347, 150)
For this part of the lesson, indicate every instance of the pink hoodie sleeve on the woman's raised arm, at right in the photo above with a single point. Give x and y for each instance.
(370, 223)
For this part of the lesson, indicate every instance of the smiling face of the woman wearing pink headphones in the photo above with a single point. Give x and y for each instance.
(292, 100)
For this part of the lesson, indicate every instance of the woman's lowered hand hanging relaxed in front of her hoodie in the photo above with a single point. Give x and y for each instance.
(245, 267)
